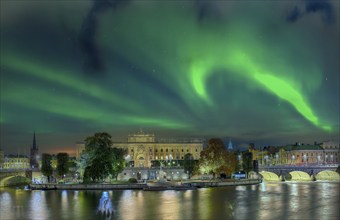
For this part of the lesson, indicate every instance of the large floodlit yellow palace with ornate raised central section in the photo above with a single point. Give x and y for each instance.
(144, 150)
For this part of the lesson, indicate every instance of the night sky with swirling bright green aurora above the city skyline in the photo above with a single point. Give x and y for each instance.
(265, 72)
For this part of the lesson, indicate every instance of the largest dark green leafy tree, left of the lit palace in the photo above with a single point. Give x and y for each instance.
(99, 160)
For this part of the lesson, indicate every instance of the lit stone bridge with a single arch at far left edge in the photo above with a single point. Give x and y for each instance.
(10, 177)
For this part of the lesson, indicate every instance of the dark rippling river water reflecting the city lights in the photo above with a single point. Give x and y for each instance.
(300, 200)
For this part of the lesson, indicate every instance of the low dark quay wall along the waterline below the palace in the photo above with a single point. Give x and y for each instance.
(193, 183)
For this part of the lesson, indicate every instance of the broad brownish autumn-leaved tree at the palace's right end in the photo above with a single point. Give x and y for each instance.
(215, 159)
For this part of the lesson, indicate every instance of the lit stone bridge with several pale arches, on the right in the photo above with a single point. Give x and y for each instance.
(298, 173)
